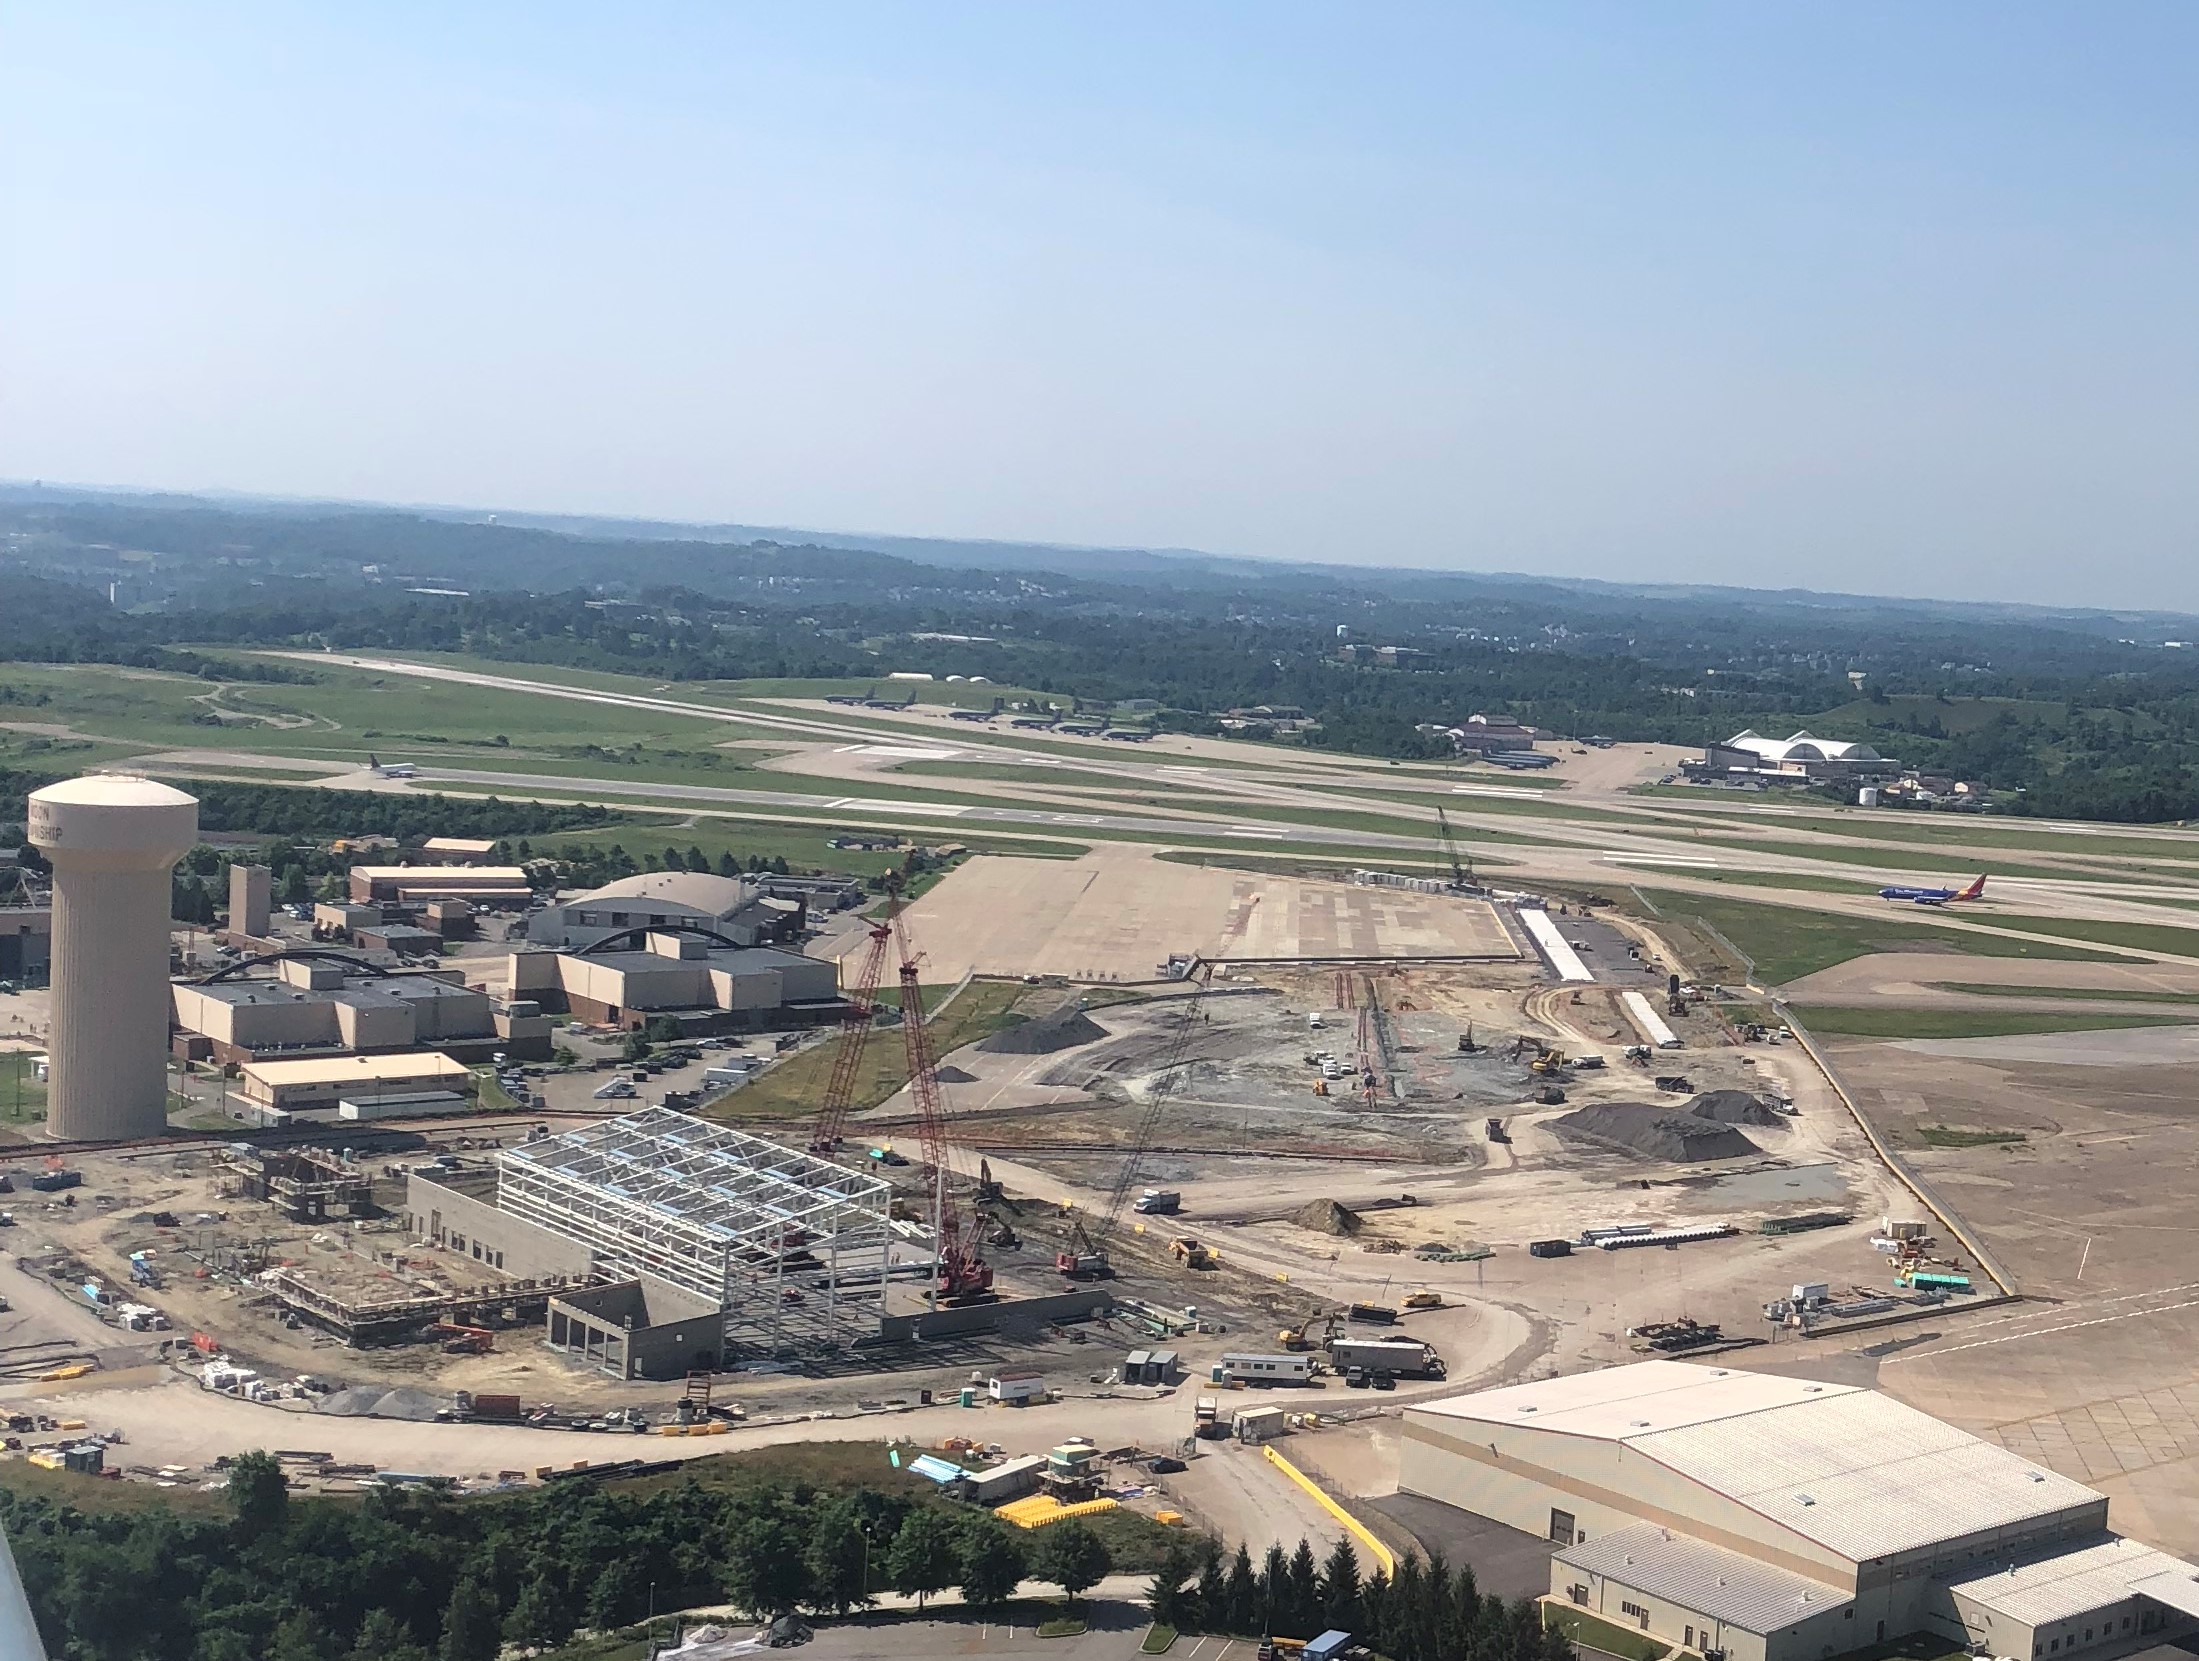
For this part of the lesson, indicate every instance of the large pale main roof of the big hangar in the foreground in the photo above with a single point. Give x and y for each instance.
(1848, 1468)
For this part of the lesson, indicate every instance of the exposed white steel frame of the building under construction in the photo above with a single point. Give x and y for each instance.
(795, 1251)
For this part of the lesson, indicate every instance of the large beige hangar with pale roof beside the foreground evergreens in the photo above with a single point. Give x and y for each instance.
(1754, 1517)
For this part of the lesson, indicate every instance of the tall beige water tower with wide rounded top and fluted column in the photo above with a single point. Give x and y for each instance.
(113, 844)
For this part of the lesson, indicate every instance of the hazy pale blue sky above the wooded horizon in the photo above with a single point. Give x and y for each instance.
(1875, 296)
